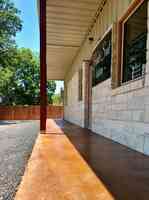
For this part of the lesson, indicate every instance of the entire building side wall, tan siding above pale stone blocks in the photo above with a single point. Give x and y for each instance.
(121, 114)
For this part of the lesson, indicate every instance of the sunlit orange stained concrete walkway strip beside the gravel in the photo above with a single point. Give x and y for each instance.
(56, 171)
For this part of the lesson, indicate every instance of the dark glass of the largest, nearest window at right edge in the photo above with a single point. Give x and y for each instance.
(135, 40)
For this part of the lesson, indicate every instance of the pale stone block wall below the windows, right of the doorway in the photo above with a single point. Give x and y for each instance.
(122, 114)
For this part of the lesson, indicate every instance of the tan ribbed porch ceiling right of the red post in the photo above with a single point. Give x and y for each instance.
(68, 22)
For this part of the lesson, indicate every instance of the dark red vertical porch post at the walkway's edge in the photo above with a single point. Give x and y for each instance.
(43, 68)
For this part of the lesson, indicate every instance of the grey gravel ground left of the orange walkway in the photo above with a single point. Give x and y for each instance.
(16, 142)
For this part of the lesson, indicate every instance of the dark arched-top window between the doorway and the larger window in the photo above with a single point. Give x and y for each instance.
(101, 61)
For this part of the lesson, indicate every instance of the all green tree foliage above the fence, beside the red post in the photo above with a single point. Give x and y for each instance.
(19, 68)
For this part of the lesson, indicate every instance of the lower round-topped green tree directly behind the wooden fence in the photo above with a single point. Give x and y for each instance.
(21, 83)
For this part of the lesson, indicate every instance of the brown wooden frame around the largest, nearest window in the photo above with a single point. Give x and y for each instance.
(121, 26)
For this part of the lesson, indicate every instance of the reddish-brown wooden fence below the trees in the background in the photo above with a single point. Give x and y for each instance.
(29, 112)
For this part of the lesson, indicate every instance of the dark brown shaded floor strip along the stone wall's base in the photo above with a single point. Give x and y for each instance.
(124, 172)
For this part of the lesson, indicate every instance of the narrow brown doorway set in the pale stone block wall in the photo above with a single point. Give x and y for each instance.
(87, 92)
